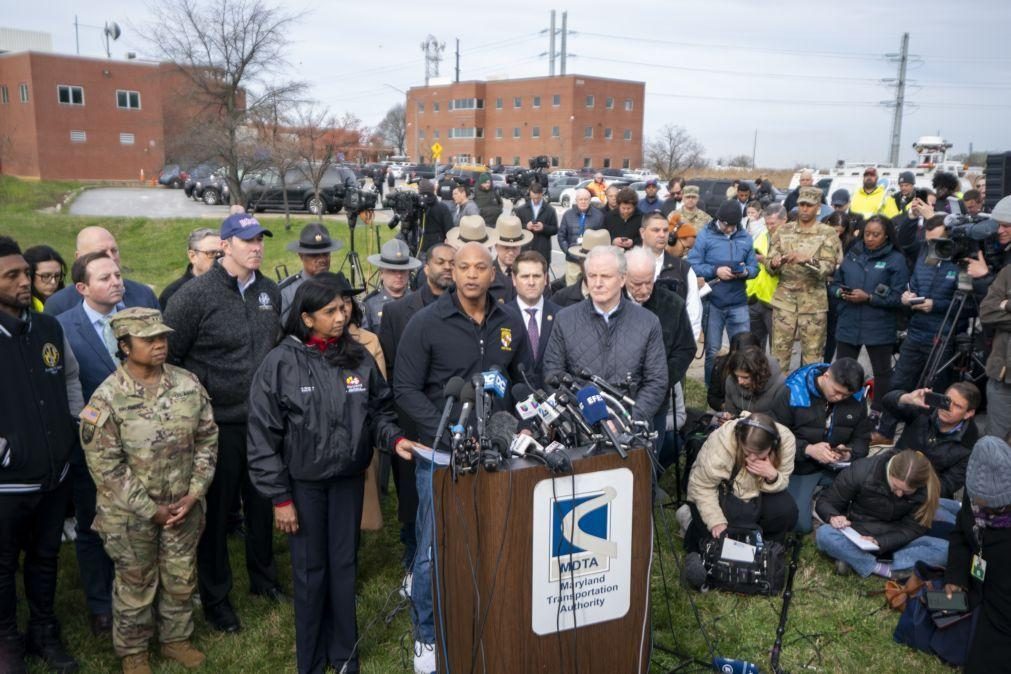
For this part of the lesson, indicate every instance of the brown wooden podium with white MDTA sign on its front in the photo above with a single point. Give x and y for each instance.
(494, 529)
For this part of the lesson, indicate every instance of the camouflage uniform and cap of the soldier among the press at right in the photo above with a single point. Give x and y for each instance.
(800, 306)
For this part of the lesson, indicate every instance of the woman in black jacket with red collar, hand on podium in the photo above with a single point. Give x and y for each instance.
(318, 407)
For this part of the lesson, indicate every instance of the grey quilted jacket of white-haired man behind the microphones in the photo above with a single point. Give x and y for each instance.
(629, 346)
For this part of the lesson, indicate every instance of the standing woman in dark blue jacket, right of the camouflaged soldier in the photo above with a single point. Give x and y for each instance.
(871, 282)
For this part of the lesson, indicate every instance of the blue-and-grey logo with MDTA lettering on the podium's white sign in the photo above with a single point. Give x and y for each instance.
(581, 535)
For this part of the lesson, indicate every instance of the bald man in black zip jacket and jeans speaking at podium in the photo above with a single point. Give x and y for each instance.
(463, 334)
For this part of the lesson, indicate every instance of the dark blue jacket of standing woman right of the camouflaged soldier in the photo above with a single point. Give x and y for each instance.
(883, 275)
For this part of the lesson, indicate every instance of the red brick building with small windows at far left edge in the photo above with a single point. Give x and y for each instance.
(76, 118)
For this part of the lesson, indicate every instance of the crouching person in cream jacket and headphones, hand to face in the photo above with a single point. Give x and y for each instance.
(740, 479)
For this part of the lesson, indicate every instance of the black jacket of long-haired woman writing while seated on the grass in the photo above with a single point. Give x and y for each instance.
(862, 494)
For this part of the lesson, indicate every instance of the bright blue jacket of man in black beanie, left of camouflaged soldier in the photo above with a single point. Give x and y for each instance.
(714, 249)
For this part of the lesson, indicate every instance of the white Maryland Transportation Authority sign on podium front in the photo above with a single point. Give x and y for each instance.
(582, 550)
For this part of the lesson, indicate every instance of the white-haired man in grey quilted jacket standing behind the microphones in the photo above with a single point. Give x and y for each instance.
(611, 336)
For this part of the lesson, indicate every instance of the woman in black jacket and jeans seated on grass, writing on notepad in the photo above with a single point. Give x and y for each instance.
(887, 503)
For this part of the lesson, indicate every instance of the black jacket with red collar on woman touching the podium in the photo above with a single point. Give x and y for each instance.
(312, 422)
